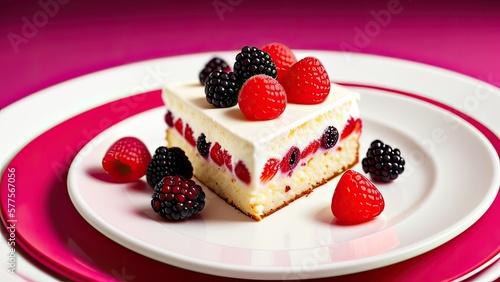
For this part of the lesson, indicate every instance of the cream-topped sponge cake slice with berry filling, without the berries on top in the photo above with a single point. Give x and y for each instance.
(260, 167)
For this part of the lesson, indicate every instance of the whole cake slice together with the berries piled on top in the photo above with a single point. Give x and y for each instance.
(263, 154)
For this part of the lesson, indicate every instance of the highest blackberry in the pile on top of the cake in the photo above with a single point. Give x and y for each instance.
(251, 61)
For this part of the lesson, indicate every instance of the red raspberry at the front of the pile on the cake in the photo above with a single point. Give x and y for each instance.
(262, 98)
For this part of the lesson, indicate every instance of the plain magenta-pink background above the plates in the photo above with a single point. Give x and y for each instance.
(70, 38)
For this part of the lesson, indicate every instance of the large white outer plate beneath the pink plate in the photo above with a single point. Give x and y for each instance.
(473, 97)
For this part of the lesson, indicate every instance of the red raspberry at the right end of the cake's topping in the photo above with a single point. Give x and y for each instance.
(306, 82)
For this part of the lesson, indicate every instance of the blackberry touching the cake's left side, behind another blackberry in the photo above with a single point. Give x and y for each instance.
(168, 161)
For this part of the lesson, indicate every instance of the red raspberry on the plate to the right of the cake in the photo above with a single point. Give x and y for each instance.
(356, 199)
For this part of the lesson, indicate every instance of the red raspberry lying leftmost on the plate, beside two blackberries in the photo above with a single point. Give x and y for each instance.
(126, 160)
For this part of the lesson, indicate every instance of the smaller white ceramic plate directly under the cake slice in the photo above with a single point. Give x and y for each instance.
(429, 204)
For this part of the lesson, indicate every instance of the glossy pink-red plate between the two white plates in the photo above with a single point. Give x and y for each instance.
(50, 229)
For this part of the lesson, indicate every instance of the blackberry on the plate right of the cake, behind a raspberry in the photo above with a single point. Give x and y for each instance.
(382, 162)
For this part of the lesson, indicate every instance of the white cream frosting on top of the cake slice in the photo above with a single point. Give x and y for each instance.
(255, 142)
